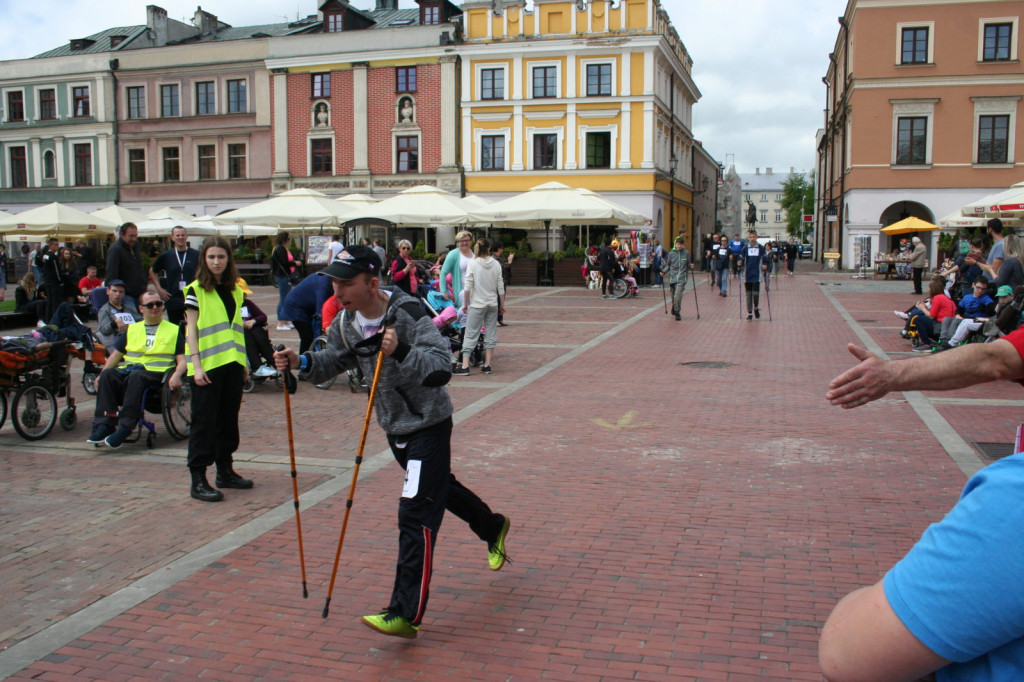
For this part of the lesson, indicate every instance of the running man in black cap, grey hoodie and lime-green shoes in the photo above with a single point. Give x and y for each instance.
(414, 409)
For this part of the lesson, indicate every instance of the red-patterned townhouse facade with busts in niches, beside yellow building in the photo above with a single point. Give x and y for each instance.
(368, 106)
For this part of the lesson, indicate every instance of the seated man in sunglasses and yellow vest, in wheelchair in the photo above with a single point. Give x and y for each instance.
(150, 350)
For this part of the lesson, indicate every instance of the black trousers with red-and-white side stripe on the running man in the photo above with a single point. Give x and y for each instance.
(431, 489)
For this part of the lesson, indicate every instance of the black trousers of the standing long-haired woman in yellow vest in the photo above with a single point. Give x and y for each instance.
(215, 435)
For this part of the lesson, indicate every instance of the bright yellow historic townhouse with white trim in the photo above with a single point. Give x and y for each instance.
(593, 95)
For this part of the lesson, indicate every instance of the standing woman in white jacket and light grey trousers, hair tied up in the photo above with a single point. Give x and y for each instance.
(485, 290)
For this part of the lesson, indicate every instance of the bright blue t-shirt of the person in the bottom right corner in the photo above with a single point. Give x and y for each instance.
(961, 589)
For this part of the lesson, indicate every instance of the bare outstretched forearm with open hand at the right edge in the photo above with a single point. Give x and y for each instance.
(965, 366)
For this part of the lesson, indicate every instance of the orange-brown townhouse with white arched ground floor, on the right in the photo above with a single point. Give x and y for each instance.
(922, 117)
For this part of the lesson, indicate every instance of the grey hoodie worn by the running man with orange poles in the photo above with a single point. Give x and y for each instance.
(411, 394)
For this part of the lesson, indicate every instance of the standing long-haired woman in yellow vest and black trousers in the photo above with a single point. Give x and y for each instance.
(217, 361)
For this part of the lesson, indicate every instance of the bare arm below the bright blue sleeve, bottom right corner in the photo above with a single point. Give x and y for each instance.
(864, 641)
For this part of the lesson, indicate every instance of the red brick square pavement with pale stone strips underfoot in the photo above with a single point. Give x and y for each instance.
(685, 505)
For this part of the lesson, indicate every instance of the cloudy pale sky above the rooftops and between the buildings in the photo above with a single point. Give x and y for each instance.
(758, 63)
